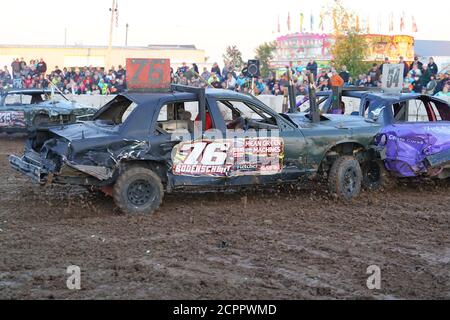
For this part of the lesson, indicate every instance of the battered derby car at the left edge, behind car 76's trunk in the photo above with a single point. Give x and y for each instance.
(23, 111)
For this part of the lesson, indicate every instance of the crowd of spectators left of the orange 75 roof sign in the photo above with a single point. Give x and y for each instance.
(86, 80)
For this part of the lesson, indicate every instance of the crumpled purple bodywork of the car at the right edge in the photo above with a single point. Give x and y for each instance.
(409, 145)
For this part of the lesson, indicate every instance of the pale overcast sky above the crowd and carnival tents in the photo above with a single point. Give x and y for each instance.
(210, 25)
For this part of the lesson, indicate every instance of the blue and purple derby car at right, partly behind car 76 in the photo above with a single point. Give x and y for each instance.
(414, 139)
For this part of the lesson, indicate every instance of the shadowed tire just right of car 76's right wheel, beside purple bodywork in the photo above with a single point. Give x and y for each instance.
(376, 177)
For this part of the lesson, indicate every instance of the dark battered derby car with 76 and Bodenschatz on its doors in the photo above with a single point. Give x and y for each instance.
(140, 145)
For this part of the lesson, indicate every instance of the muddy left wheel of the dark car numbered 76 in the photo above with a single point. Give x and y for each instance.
(138, 190)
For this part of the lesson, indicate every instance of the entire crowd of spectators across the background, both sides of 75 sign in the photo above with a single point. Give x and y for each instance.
(418, 77)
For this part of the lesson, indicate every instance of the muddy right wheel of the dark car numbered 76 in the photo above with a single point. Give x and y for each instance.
(345, 178)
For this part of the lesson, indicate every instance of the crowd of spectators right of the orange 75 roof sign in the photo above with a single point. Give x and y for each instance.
(418, 77)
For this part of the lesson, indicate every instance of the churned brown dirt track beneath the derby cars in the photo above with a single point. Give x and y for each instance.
(281, 244)
